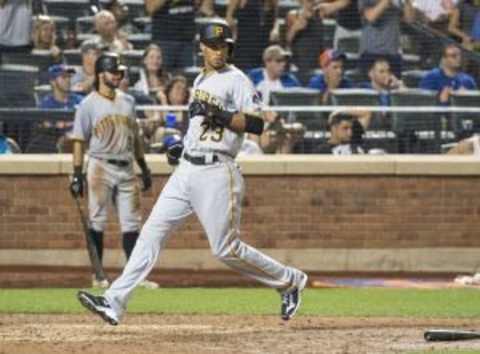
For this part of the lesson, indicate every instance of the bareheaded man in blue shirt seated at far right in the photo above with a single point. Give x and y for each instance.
(448, 77)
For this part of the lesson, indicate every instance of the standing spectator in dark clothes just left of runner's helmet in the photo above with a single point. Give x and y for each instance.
(173, 29)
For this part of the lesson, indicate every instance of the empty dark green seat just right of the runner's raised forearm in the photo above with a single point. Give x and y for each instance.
(298, 96)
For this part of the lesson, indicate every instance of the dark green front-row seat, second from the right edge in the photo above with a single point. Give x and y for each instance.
(417, 132)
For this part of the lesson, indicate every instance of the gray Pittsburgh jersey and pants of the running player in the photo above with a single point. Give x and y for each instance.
(212, 190)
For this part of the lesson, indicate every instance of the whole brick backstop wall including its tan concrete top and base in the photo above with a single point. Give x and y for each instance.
(361, 213)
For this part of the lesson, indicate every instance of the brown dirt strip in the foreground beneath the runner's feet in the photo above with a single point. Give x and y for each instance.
(85, 334)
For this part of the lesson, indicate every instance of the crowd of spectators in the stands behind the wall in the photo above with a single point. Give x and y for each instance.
(279, 45)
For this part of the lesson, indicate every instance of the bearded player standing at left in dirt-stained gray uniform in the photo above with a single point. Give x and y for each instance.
(105, 121)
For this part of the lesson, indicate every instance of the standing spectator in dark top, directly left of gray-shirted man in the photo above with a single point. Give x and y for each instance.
(348, 19)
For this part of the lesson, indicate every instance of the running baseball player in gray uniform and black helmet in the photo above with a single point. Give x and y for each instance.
(208, 182)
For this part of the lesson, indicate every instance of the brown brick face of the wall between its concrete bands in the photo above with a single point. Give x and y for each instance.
(280, 211)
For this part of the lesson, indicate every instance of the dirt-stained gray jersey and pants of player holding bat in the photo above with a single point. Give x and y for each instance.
(109, 128)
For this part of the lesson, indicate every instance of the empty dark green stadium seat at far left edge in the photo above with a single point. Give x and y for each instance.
(17, 86)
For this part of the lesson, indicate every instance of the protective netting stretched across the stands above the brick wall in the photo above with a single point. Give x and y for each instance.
(414, 64)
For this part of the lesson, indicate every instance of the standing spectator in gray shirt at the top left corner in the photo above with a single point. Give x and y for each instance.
(15, 26)
